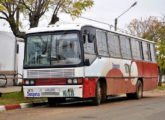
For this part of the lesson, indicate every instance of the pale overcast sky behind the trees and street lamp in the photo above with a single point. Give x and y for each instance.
(107, 10)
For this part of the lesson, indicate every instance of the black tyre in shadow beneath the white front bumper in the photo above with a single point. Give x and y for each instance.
(55, 101)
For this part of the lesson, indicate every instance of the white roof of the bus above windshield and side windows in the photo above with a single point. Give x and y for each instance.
(63, 27)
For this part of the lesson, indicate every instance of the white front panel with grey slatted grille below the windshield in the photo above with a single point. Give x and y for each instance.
(54, 73)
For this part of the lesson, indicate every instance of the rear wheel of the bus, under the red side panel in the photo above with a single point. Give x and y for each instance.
(139, 90)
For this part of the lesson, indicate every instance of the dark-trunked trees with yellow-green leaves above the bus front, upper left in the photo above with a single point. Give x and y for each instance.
(11, 9)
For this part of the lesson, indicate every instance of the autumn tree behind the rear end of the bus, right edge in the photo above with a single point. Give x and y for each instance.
(152, 29)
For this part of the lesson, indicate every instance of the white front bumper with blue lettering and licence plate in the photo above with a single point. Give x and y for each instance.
(54, 91)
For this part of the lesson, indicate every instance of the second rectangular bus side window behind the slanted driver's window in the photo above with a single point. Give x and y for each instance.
(113, 43)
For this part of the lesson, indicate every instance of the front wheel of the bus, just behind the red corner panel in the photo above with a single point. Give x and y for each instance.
(97, 99)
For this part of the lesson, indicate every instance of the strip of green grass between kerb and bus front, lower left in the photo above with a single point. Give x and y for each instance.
(16, 98)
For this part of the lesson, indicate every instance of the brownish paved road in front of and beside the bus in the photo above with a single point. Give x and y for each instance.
(151, 107)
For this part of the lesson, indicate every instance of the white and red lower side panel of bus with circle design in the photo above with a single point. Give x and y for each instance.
(122, 75)
